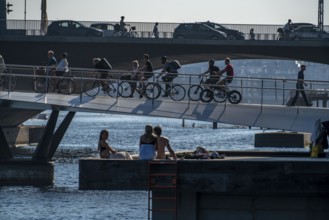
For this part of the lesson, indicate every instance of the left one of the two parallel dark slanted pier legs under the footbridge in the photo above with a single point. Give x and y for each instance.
(42, 150)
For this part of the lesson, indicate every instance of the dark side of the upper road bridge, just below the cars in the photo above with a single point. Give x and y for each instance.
(120, 52)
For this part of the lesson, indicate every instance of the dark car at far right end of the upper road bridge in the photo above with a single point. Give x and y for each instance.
(308, 33)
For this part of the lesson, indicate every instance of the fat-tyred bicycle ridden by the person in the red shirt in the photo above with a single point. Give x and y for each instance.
(220, 94)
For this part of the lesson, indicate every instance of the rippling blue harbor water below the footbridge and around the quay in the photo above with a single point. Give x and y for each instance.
(64, 200)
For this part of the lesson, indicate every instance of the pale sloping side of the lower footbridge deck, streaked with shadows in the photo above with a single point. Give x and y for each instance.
(266, 116)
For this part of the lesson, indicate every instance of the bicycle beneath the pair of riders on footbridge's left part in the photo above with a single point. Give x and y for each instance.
(63, 84)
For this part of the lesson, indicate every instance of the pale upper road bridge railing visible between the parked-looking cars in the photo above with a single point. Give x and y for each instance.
(144, 29)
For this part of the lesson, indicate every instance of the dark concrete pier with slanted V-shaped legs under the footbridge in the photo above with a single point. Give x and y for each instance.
(39, 170)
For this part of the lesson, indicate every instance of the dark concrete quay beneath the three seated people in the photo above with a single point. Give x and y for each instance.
(257, 186)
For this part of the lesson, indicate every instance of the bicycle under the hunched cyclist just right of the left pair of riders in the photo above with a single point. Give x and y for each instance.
(93, 87)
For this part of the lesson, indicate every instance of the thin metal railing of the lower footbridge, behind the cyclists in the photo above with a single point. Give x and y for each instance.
(254, 90)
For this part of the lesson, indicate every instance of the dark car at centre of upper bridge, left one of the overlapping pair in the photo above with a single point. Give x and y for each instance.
(198, 31)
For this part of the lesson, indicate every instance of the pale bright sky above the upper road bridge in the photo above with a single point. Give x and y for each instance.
(175, 11)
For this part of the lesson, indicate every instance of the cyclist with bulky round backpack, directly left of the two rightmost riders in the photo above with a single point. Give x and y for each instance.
(170, 71)
